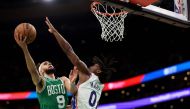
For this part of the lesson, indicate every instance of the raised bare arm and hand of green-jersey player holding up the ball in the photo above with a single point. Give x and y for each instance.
(21, 41)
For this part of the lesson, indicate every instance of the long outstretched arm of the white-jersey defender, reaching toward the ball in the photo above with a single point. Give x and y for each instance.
(67, 48)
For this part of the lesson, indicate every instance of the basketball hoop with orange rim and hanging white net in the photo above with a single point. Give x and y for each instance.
(111, 20)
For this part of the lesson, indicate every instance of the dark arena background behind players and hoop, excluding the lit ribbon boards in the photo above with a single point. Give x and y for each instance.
(148, 46)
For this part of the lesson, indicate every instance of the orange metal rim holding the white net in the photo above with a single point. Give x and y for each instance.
(94, 5)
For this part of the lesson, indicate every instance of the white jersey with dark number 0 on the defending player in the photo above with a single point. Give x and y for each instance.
(88, 94)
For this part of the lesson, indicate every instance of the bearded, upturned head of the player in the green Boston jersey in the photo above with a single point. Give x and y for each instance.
(46, 68)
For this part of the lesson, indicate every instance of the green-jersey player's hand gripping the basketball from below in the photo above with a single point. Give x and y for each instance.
(20, 40)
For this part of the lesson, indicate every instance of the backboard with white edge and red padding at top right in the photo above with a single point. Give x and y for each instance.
(179, 16)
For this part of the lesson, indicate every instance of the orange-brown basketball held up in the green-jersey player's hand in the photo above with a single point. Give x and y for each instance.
(26, 30)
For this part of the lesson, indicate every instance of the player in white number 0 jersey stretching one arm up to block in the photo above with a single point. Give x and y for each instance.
(89, 85)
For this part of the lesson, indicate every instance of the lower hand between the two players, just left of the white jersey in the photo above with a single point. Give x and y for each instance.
(73, 74)
